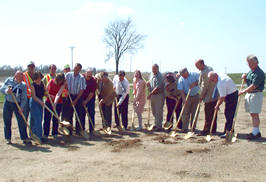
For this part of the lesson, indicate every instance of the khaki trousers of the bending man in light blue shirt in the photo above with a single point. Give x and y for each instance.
(189, 111)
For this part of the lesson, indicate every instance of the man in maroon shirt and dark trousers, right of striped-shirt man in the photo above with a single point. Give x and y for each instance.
(89, 99)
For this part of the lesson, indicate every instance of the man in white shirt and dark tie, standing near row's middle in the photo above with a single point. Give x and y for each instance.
(121, 87)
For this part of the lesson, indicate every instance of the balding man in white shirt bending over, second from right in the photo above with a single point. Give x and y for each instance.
(228, 93)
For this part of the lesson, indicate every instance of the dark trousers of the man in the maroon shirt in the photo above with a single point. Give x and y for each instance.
(91, 109)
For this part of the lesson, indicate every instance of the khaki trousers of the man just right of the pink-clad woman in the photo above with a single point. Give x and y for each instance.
(157, 102)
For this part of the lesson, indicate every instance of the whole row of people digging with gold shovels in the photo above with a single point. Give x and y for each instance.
(72, 93)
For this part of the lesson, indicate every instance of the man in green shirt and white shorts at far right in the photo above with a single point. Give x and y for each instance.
(255, 80)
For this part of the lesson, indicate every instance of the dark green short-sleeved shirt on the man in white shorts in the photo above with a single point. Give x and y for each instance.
(257, 78)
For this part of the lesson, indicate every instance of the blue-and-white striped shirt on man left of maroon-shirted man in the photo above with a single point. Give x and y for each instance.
(75, 83)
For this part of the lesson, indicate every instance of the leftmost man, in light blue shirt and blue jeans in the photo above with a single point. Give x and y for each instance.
(18, 88)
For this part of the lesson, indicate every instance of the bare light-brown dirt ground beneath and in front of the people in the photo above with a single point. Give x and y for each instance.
(137, 156)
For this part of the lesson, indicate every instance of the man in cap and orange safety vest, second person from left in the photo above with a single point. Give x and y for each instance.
(27, 78)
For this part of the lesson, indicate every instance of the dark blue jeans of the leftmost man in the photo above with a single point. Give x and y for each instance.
(8, 110)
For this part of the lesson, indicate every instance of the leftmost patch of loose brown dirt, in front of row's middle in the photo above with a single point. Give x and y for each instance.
(124, 144)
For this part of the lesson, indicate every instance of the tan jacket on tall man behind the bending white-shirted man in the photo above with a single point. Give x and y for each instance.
(207, 86)
